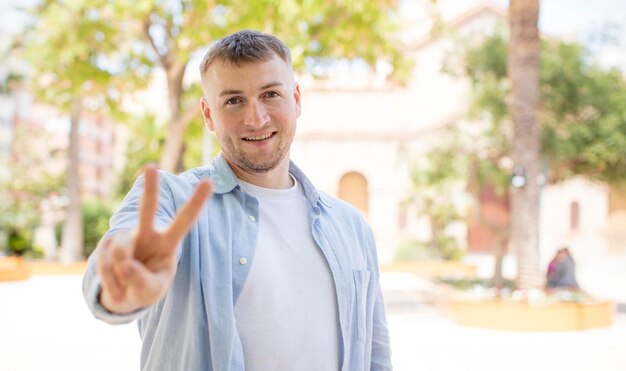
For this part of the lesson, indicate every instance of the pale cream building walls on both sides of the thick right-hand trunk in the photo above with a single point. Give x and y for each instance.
(352, 124)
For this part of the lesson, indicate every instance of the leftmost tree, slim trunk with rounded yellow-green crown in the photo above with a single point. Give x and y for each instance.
(74, 50)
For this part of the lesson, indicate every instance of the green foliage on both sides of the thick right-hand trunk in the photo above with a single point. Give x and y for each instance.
(582, 110)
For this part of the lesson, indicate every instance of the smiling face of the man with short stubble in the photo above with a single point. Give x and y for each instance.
(253, 109)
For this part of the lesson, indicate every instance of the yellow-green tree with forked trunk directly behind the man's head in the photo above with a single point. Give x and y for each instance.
(168, 35)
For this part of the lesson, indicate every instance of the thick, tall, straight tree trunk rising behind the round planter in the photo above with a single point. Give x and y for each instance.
(523, 69)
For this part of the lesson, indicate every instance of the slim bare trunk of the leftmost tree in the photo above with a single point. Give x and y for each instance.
(72, 238)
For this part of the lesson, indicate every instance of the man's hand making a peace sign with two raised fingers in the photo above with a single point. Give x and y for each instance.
(137, 267)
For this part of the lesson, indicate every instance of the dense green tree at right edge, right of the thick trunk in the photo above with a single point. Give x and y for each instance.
(584, 118)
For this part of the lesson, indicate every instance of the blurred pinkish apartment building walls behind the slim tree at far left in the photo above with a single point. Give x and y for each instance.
(44, 134)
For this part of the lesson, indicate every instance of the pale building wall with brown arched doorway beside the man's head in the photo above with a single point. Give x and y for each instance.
(379, 130)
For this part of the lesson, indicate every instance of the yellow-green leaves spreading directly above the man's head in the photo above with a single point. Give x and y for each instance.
(314, 30)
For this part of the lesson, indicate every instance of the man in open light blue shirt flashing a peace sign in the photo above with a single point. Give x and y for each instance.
(269, 273)
